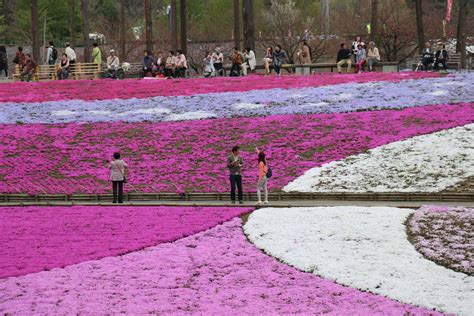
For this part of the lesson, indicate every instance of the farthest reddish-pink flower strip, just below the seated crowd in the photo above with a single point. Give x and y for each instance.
(125, 89)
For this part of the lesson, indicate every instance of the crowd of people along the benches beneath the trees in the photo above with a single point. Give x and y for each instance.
(175, 64)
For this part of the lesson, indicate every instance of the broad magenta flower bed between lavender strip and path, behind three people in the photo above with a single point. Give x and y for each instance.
(190, 156)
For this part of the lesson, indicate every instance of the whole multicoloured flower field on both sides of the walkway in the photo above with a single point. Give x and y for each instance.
(375, 132)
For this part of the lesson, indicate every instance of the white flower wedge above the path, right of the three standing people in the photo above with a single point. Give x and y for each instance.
(427, 163)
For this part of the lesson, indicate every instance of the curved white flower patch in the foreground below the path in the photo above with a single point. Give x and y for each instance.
(361, 247)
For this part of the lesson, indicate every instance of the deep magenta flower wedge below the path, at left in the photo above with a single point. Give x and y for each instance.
(41, 238)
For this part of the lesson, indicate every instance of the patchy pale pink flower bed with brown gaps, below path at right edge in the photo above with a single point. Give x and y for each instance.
(445, 235)
